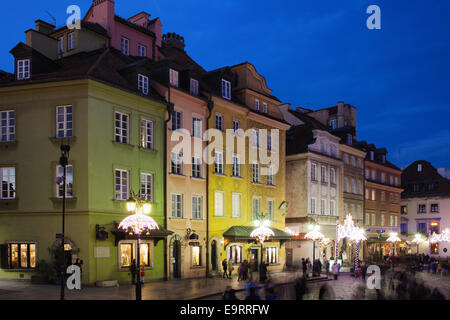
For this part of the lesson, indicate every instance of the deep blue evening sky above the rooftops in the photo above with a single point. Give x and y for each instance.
(313, 54)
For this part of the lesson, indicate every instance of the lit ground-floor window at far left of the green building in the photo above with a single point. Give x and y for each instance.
(21, 255)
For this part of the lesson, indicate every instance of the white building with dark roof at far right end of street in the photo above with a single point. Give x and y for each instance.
(425, 207)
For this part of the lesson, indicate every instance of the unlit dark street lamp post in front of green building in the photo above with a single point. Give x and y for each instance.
(63, 161)
